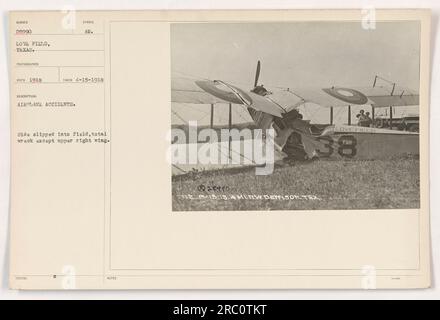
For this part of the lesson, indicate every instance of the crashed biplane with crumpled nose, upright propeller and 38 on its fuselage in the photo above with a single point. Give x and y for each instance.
(297, 138)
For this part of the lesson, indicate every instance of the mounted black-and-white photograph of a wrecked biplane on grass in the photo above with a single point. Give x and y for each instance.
(295, 115)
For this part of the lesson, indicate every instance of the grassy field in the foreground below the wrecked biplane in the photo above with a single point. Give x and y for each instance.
(375, 184)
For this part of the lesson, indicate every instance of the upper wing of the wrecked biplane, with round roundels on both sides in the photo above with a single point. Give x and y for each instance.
(277, 103)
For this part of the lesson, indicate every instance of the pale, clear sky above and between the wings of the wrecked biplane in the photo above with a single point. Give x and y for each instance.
(299, 54)
